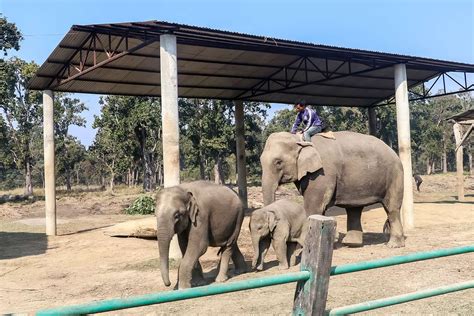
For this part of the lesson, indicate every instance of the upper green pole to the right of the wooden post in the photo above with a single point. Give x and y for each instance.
(418, 256)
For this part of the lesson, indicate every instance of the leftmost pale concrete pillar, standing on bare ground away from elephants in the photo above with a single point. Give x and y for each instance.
(49, 164)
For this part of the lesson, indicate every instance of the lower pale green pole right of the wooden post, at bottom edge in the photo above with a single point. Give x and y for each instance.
(394, 300)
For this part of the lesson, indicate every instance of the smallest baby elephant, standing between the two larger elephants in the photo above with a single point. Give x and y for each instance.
(285, 223)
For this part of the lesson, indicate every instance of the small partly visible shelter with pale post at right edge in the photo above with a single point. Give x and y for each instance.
(464, 119)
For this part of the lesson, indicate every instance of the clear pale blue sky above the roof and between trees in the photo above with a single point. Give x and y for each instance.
(434, 29)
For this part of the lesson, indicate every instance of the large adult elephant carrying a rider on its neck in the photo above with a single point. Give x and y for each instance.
(352, 171)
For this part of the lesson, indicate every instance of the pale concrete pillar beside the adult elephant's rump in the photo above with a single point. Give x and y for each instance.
(404, 146)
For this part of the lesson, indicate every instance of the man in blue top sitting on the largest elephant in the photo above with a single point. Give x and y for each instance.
(309, 117)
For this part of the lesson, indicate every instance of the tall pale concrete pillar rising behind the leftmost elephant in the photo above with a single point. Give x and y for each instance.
(169, 116)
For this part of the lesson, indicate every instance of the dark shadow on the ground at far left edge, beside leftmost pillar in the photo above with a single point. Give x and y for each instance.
(21, 244)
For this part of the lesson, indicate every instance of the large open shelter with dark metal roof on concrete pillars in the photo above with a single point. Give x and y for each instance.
(172, 60)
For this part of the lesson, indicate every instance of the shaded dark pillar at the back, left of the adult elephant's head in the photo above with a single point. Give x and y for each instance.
(240, 144)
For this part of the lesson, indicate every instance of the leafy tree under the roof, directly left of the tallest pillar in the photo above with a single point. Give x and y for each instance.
(130, 132)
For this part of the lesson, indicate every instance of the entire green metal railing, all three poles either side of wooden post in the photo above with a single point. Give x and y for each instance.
(170, 296)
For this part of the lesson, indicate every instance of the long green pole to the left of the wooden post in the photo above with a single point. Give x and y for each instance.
(170, 296)
